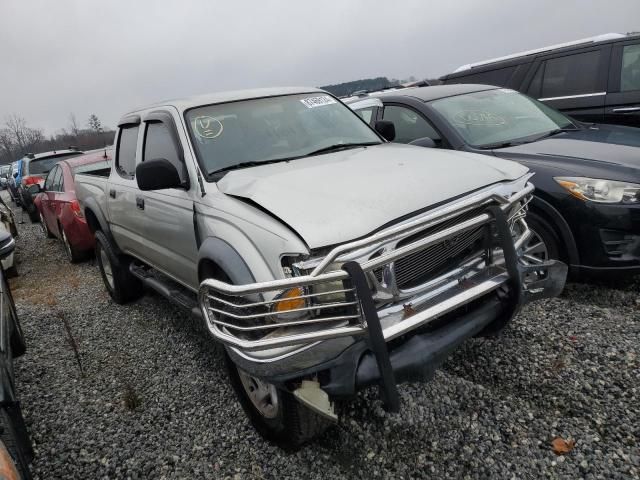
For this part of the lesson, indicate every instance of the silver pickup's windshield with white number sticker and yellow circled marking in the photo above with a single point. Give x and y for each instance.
(263, 130)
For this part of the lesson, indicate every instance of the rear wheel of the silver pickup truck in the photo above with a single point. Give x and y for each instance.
(120, 283)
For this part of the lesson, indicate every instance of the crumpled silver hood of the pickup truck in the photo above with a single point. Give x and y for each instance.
(333, 198)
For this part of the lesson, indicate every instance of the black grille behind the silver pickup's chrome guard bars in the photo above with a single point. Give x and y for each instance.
(419, 267)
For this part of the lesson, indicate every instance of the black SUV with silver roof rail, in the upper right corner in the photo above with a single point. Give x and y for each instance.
(593, 80)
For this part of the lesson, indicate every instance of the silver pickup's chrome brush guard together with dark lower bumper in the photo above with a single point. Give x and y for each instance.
(331, 325)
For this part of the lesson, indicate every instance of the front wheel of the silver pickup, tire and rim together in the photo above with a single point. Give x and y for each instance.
(274, 413)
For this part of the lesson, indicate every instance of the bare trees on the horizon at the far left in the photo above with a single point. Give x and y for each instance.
(18, 138)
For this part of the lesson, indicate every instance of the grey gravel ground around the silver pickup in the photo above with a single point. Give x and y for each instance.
(148, 398)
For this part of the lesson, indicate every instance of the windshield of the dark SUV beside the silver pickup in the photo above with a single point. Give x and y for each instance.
(499, 117)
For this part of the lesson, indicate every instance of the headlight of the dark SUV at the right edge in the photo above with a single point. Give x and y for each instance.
(601, 191)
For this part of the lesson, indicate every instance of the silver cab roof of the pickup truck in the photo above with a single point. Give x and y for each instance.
(231, 96)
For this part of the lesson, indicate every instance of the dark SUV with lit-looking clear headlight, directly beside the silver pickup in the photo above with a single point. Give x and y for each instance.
(586, 206)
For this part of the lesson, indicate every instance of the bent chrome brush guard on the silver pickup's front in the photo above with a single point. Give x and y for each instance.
(326, 301)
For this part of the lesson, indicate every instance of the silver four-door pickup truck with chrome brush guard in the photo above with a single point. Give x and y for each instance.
(324, 258)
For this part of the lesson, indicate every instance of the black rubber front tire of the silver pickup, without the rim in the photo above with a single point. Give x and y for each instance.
(292, 426)
